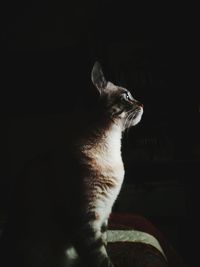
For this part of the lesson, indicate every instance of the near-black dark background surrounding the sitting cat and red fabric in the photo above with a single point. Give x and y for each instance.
(48, 50)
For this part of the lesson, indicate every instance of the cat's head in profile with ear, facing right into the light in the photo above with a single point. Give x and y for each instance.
(116, 100)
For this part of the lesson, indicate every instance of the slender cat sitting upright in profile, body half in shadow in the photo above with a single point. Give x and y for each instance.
(65, 197)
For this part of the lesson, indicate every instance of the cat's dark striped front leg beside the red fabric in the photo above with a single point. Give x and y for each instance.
(89, 243)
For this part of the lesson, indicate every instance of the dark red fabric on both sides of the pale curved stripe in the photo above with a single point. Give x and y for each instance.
(136, 222)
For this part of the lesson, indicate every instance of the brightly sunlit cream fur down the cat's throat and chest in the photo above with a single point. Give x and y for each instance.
(107, 158)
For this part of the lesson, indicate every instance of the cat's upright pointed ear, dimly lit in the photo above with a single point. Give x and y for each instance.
(97, 77)
